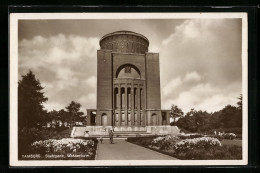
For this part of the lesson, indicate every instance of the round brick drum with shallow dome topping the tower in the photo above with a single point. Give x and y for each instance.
(124, 42)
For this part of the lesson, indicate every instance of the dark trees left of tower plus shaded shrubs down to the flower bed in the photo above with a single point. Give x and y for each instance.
(36, 123)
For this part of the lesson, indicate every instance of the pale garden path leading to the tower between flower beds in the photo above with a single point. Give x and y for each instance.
(122, 150)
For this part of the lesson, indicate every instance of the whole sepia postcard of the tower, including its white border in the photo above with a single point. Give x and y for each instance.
(128, 89)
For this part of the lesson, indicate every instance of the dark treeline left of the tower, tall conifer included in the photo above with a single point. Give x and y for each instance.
(31, 112)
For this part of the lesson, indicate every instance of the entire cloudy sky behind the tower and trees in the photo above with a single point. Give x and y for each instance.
(200, 59)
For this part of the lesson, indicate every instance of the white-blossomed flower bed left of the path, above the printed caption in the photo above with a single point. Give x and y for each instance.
(63, 149)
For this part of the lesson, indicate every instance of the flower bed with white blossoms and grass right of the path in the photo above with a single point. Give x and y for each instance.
(190, 147)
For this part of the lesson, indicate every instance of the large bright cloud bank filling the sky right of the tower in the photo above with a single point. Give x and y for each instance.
(201, 64)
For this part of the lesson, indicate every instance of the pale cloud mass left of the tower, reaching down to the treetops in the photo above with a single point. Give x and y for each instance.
(64, 64)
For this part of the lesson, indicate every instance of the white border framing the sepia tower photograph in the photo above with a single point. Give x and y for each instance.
(14, 17)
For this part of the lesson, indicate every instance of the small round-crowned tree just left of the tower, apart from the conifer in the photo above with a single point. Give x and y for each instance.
(74, 113)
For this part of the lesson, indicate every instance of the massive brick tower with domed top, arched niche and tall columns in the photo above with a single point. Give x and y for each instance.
(128, 83)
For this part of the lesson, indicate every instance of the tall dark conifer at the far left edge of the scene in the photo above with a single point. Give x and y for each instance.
(30, 100)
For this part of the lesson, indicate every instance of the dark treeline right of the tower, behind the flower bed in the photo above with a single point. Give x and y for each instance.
(229, 119)
